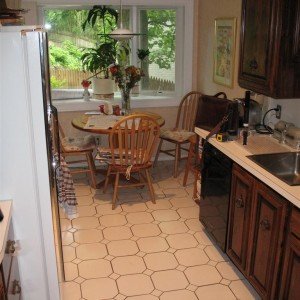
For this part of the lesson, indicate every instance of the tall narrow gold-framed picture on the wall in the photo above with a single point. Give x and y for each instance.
(224, 51)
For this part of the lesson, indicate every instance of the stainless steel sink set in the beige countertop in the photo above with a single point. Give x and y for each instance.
(285, 166)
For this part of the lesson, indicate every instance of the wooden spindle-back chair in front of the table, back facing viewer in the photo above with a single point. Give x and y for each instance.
(132, 141)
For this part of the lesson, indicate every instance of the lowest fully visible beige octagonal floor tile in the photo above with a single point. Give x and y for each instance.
(134, 285)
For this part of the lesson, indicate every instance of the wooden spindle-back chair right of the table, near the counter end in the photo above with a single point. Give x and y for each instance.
(184, 129)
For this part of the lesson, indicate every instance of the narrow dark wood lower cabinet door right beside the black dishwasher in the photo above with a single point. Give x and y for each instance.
(239, 212)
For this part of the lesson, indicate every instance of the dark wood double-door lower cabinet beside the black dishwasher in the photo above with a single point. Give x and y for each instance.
(257, 221)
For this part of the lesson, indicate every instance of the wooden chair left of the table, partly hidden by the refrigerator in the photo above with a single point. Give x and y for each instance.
(82, 149)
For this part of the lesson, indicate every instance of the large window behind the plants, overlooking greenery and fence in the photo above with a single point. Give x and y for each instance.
(164, 32)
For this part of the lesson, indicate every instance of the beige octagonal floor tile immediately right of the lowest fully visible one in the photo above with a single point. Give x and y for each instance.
(169, 280)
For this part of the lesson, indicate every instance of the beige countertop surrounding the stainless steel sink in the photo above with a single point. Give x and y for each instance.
(238, 153)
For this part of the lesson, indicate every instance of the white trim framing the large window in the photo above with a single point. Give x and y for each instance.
(184, 49)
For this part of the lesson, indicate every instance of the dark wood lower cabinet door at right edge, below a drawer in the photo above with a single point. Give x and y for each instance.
(290, 288)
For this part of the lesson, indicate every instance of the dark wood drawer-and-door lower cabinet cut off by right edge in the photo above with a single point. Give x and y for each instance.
(290, 281)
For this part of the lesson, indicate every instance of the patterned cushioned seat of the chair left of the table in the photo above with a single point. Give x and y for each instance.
(78, 144)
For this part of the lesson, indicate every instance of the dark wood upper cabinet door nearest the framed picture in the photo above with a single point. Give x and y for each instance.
(257, 45)
